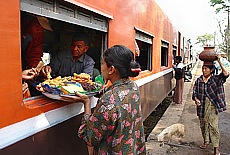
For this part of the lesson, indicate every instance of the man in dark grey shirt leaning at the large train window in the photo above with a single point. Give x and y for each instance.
(75, 60)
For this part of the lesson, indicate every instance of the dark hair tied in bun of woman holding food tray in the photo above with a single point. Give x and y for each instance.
(122, 59)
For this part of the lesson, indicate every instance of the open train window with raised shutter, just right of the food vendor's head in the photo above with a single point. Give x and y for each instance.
(144, 44)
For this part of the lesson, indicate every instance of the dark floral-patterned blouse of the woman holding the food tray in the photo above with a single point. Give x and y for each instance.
(116, 126)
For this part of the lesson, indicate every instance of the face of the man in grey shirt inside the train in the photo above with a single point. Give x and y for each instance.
(78, 48)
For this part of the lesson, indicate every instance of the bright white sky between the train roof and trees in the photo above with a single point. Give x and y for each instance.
(192, 18)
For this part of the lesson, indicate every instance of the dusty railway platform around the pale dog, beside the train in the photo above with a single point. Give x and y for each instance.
(186, 114)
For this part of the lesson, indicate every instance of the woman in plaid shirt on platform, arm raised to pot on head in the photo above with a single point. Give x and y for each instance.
(209, 96)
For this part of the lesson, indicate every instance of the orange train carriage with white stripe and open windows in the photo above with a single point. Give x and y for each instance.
(40, 125)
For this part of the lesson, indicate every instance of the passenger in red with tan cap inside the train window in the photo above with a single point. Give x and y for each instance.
(32, 39)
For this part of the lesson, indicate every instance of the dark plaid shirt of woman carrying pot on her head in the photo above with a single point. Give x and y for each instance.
(213, 89)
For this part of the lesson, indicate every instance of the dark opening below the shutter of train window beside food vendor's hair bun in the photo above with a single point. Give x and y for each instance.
(145, 55)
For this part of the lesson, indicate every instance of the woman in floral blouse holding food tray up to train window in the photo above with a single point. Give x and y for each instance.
(116, 124)
